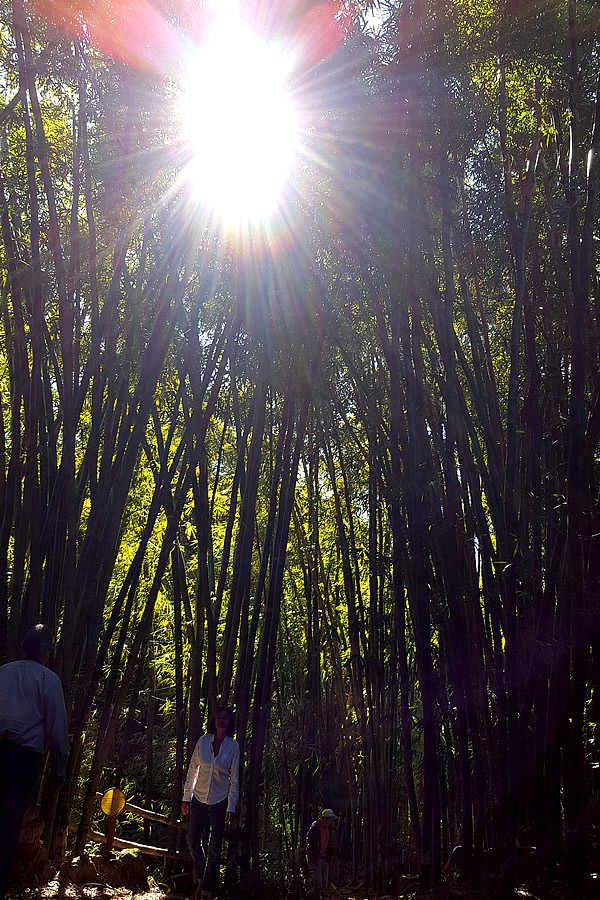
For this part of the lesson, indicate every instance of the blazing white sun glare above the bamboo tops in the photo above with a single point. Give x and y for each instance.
(239, 124)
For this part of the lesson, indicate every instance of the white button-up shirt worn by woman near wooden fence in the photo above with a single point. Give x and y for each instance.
(211, 778)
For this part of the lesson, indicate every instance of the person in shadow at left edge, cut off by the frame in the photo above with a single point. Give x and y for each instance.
(32, 716)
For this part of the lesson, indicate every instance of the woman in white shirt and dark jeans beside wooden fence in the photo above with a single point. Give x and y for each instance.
(210, 796)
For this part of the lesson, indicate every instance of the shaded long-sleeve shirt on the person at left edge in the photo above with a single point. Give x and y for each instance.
(32, 709)
